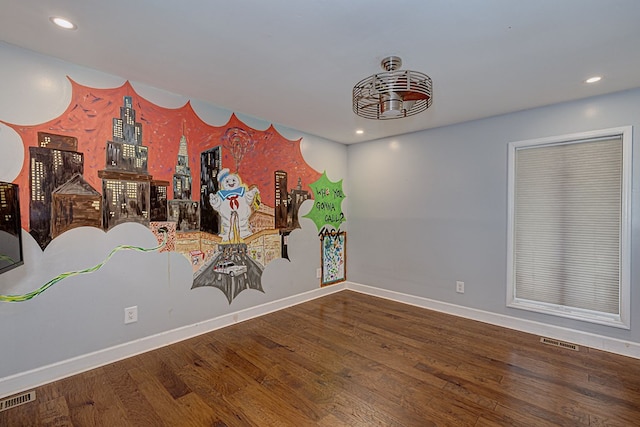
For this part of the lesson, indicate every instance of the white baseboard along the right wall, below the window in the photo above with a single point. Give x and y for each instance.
(600, 342)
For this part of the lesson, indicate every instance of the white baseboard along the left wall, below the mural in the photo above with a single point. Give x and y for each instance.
(36, 377)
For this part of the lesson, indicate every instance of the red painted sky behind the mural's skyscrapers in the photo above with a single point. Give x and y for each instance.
(89, 118)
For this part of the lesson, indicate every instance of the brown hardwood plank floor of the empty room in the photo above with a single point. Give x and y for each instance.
(348, 359)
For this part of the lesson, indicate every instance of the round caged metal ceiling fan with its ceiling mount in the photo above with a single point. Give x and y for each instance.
(392, 94)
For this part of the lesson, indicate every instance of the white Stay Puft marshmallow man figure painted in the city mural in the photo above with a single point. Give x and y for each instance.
(234, 202)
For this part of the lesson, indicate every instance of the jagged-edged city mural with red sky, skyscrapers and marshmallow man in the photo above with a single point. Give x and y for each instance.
(218, 195)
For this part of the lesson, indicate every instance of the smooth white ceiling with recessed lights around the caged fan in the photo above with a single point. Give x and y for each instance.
(295, 62)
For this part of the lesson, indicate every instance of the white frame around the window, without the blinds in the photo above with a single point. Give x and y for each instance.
(622, 319)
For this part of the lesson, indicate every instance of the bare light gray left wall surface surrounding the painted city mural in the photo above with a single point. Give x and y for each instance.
(83, 314)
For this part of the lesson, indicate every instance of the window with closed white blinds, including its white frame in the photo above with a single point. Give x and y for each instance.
(569, 226)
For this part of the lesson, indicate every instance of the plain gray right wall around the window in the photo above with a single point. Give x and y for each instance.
(430, 208)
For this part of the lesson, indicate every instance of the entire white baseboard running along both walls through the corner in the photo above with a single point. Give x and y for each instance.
(27, 380)
